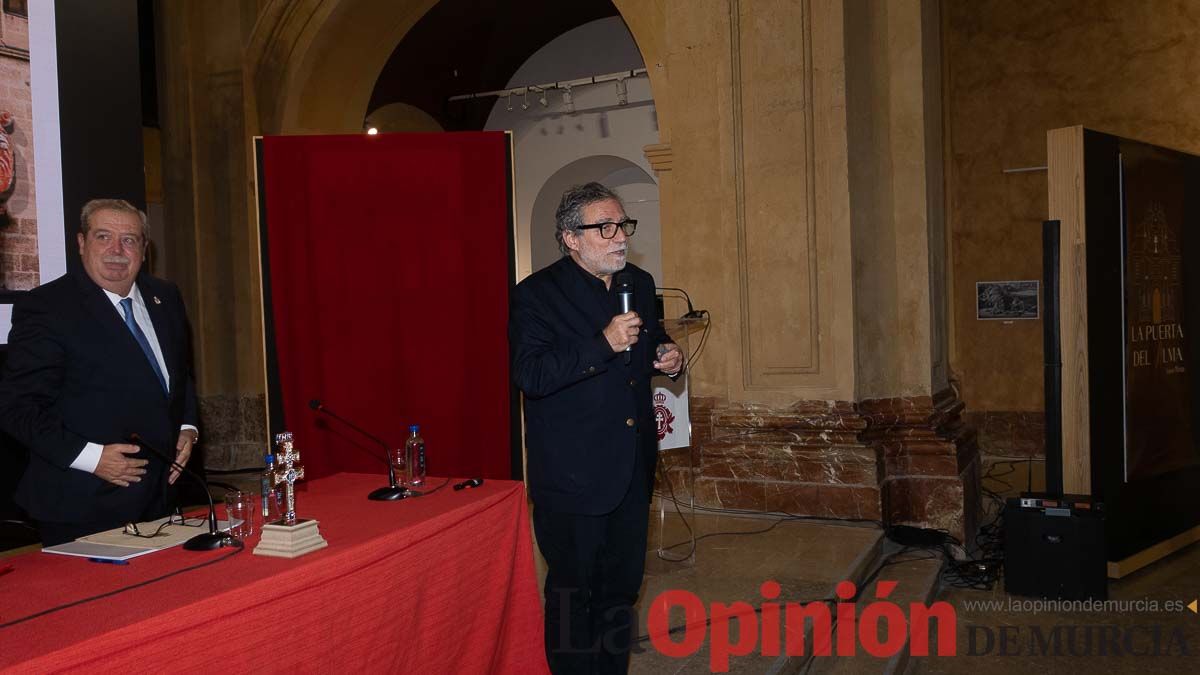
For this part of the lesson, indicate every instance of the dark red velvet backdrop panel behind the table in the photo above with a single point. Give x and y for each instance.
(389, 270)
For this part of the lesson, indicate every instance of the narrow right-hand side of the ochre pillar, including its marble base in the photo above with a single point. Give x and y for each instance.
(929, 459)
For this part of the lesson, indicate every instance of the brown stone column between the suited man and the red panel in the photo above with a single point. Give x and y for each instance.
(212, 244)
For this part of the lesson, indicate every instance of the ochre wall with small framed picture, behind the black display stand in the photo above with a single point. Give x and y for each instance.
(1013, 74)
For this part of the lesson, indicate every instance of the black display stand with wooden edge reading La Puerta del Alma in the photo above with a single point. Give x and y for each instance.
(1130, 292)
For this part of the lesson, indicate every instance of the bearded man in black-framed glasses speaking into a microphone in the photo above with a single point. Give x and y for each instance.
(590, 428)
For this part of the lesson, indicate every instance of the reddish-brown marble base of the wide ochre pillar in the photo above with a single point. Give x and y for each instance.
(907, 461)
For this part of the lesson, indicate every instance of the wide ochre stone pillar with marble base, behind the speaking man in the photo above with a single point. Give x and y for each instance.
(806, 193)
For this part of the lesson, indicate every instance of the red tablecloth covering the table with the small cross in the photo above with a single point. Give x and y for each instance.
(437, 584)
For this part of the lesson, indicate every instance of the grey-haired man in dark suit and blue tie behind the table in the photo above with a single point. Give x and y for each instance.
(94, 357)
